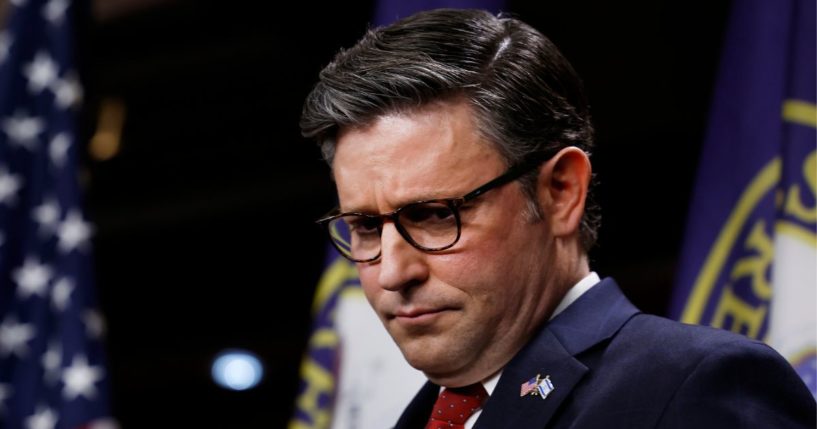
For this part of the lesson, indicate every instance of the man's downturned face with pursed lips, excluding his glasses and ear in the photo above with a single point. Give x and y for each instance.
(461, 314)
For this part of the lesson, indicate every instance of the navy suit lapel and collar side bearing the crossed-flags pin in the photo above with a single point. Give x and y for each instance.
(594, 317)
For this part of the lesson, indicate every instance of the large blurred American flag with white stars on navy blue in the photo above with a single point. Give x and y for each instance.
(52, 373)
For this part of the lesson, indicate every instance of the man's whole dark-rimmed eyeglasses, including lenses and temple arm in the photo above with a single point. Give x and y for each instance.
(429, 225)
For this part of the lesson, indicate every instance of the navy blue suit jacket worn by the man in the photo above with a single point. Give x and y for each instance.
(614, 367)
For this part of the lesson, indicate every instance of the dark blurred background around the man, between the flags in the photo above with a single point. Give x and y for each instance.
(204, 234)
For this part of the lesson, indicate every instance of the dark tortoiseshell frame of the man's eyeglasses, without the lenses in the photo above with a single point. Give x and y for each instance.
(513, 173)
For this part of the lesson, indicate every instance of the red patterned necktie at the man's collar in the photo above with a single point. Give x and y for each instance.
(454, 406)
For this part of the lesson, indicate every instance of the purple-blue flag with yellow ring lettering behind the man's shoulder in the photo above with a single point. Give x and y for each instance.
(748, 262)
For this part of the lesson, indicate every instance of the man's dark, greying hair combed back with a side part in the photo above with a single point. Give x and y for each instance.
(526, 97)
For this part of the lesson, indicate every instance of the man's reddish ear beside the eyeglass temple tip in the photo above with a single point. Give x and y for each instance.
(563, 184)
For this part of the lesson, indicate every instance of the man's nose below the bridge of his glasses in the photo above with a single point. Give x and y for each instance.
(401, 264)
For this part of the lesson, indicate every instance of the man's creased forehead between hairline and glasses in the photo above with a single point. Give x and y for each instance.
(402, 159)
